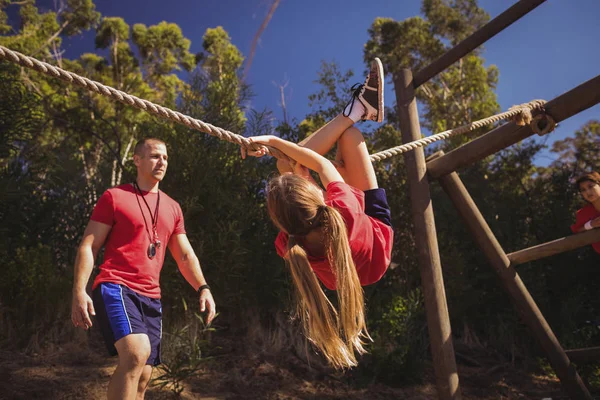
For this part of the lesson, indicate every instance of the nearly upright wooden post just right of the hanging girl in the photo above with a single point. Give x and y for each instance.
(438, 322)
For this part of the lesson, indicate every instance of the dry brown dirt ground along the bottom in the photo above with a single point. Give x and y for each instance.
(75, 372)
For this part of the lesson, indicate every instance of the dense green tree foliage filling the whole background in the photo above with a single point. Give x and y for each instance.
(61, 147)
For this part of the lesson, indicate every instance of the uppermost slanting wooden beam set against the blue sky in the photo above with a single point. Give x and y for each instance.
(476, 39)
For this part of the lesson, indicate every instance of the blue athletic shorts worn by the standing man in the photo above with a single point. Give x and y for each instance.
(120, 311)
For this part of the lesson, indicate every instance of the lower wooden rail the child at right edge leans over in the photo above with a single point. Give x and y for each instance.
(555, 247)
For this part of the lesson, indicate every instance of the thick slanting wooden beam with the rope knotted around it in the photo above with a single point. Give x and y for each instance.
(564, 106)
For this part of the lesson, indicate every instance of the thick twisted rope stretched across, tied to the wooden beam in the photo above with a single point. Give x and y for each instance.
(521, 113)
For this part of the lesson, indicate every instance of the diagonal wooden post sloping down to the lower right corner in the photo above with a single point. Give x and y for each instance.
(523, 301)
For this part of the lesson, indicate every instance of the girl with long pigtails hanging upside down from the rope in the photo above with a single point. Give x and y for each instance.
(341, 236)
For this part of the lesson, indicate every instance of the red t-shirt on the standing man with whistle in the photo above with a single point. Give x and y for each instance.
(126, 259)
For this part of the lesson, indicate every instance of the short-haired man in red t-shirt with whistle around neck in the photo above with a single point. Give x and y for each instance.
(135, 222)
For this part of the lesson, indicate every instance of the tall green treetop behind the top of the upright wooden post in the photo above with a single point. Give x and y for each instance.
(464, 92)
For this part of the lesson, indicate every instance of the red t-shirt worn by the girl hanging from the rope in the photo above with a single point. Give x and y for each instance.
(370, 239)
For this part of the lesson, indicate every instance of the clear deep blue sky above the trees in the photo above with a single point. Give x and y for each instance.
(549, 51)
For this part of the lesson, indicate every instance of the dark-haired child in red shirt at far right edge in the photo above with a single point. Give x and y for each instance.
(588, 217)
